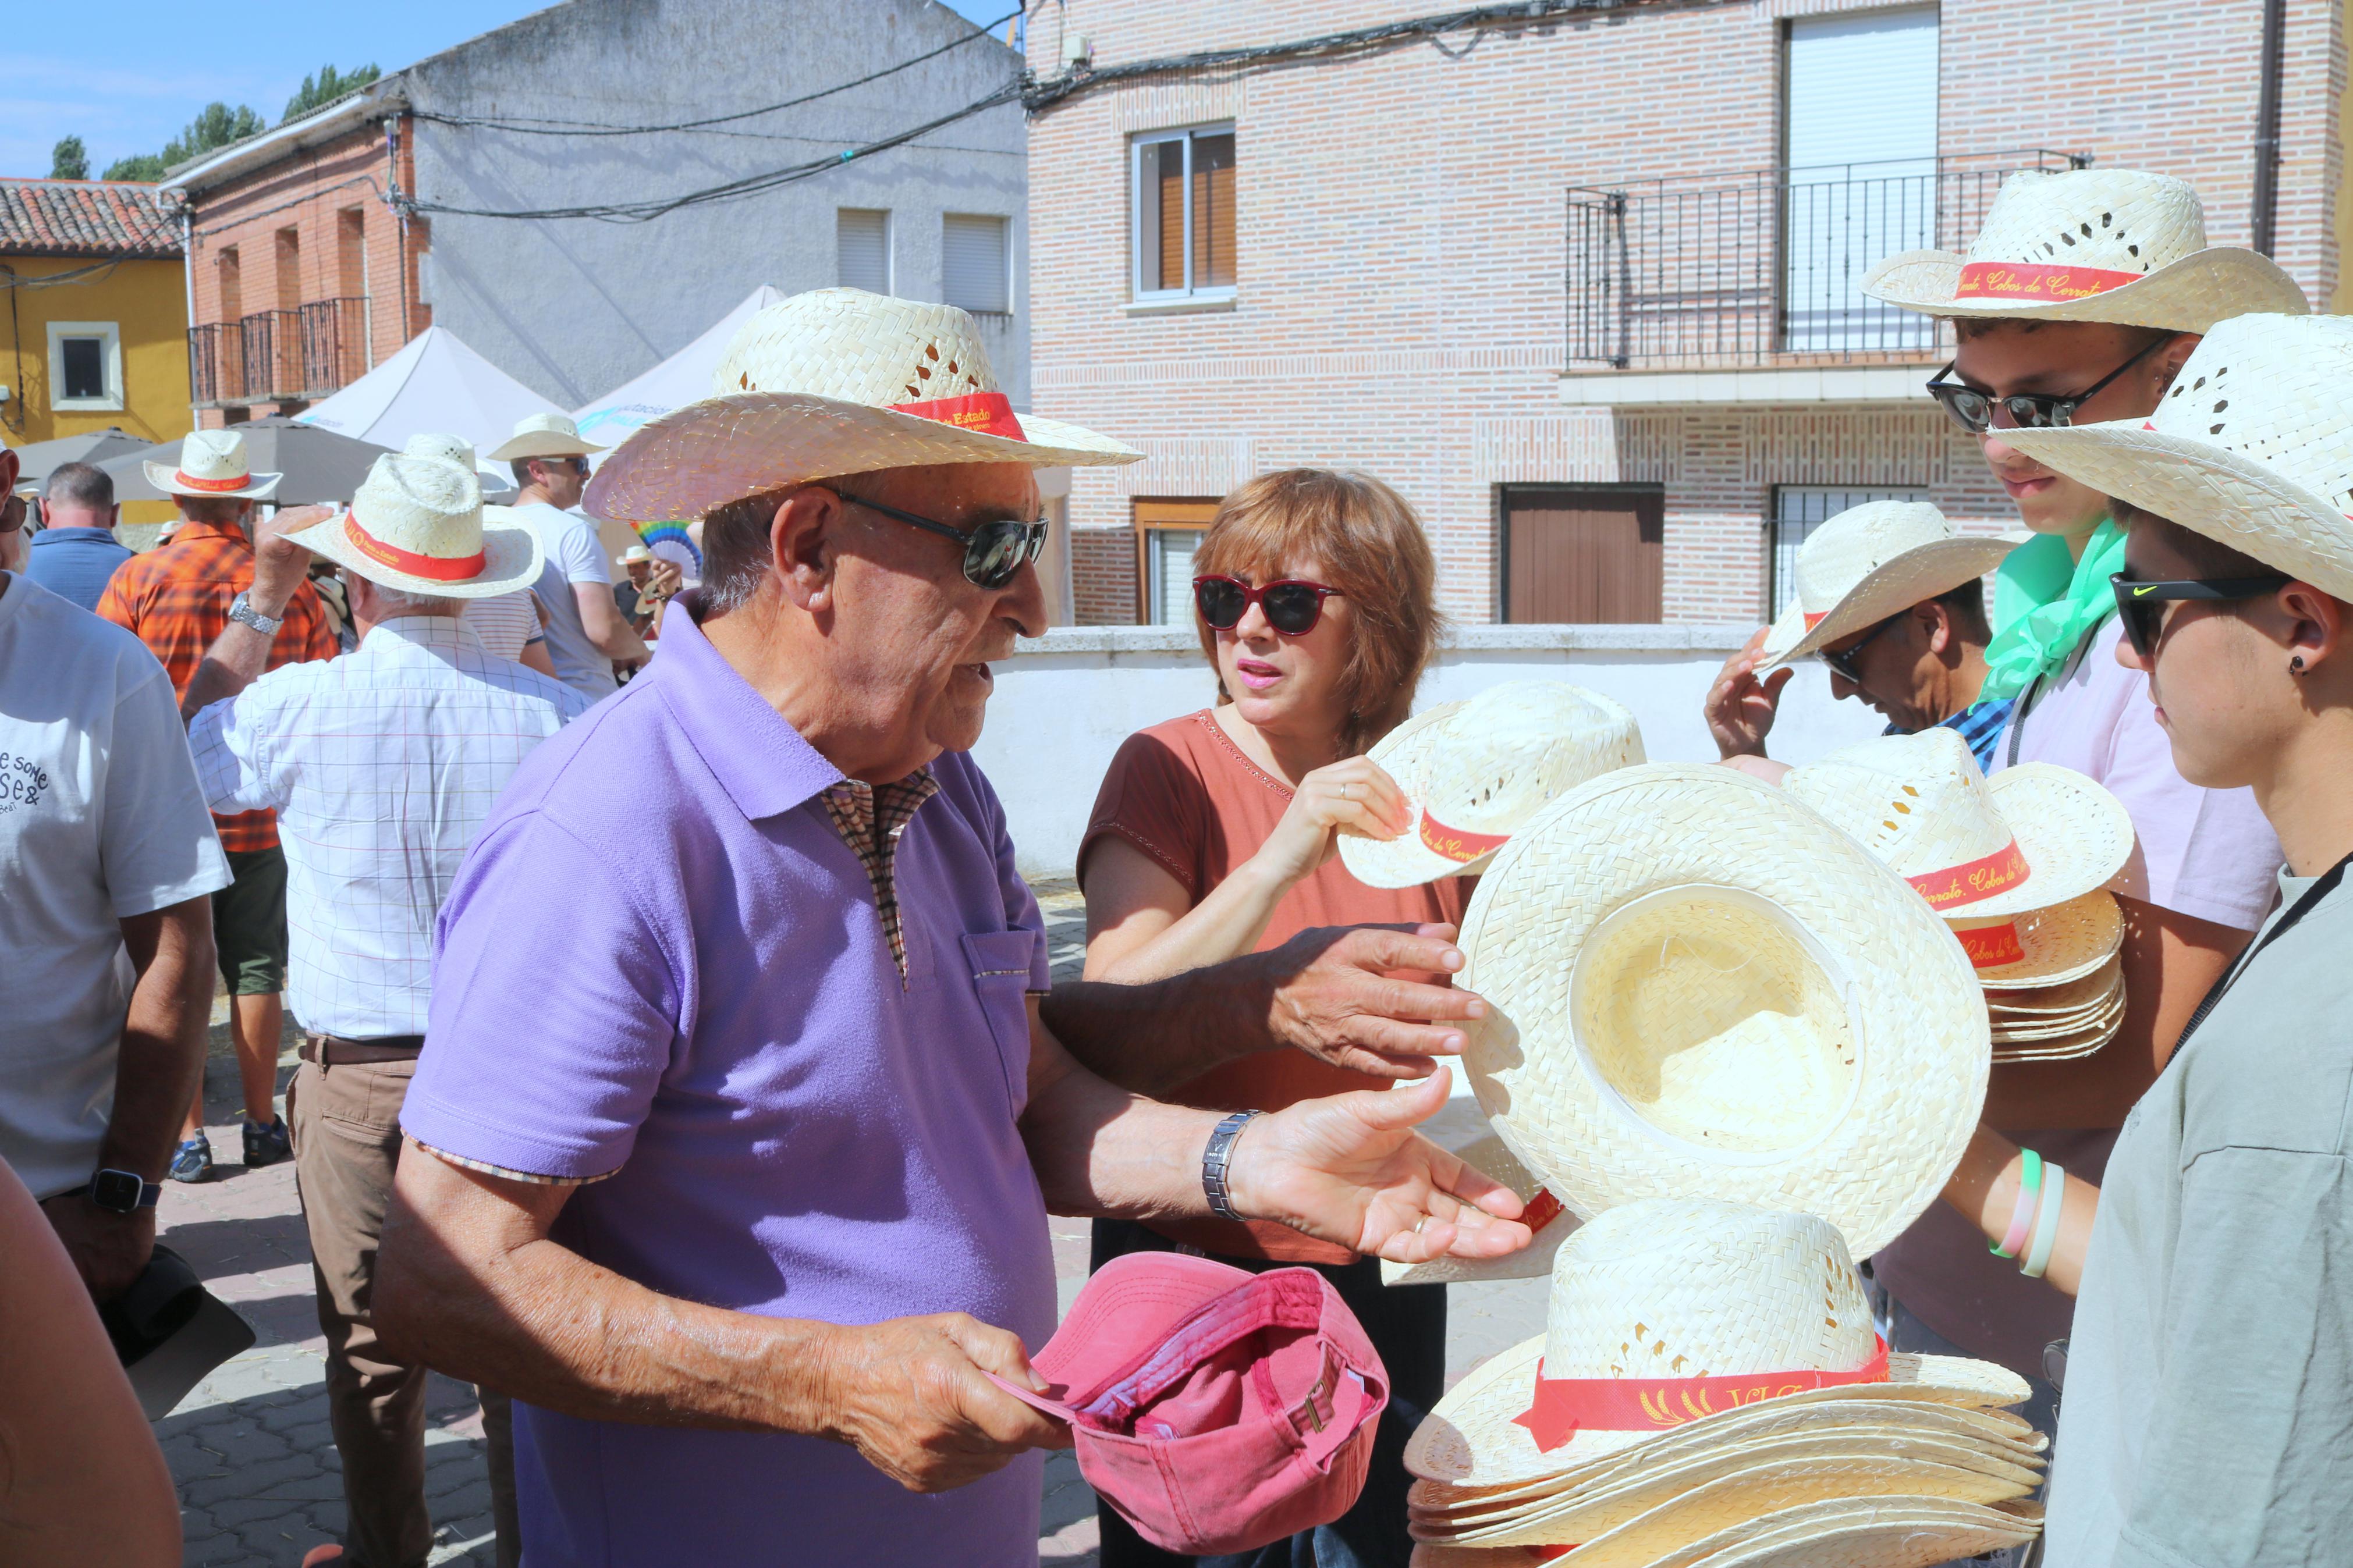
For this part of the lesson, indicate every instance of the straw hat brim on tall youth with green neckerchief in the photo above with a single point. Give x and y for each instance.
(2189, 295)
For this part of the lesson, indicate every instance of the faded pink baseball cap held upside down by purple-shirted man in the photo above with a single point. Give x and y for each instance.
(1215, 1409)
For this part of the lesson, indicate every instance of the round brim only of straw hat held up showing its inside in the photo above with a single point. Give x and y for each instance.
(1914, 1005)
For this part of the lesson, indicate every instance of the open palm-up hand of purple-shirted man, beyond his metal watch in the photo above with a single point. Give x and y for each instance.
(1352, 1170)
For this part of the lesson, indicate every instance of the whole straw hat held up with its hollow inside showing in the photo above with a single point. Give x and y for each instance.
(1702, 989)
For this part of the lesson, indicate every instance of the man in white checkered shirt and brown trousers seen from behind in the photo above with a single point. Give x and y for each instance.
(382, 765)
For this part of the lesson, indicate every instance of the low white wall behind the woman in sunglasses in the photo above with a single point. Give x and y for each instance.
(1065, 702)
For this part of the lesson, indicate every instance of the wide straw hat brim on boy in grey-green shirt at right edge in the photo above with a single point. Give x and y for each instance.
(2208, 490)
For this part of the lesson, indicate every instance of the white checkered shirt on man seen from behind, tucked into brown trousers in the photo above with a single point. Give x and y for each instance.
(382, 768)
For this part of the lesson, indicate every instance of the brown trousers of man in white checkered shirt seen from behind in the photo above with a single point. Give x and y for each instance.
(347, 1146)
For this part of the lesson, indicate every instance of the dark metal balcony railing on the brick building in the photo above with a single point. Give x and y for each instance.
(1766, 267)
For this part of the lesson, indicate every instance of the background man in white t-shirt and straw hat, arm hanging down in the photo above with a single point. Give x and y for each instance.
(587, 634)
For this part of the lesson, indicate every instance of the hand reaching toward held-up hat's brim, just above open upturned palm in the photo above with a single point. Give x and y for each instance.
(1333, 998)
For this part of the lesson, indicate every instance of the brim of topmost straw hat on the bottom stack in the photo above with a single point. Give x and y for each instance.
(1469, 1435)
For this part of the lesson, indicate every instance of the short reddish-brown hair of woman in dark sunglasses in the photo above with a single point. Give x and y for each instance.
(1371, 547)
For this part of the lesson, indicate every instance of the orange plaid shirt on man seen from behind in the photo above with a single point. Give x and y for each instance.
(175, 601)
